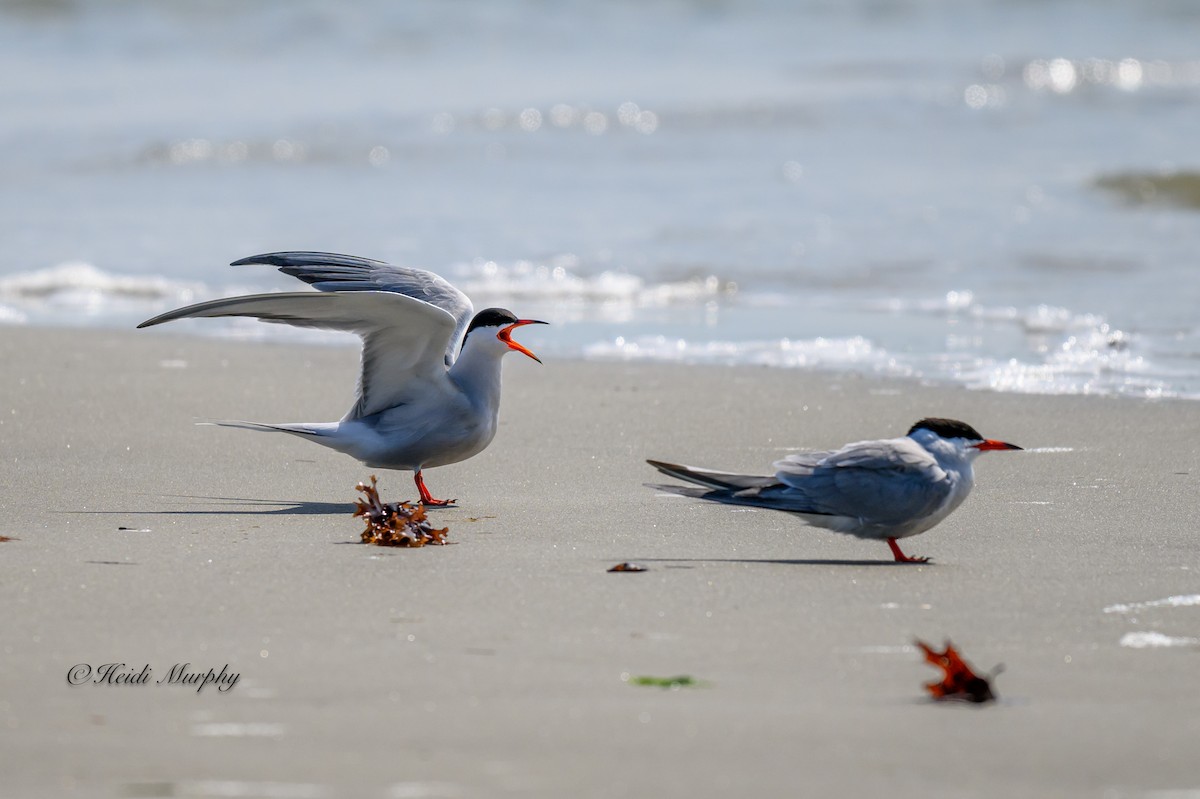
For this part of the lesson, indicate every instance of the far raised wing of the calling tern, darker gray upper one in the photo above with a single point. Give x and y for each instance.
(328, 272)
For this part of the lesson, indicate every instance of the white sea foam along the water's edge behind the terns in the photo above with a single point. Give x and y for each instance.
(1065, 352)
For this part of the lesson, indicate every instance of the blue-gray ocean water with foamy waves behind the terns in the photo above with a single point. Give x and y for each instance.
(998, 194)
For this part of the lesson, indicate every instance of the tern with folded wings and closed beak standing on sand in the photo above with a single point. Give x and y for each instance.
(889, 490)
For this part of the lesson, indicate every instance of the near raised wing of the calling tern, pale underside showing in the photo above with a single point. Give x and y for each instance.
(404, 339)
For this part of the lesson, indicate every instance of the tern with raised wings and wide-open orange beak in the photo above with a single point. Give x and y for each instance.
(429, 391)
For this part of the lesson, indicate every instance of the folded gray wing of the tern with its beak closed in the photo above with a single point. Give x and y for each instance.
(880, 483)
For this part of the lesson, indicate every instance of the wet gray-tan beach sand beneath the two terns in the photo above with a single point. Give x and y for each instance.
(506, 665)
